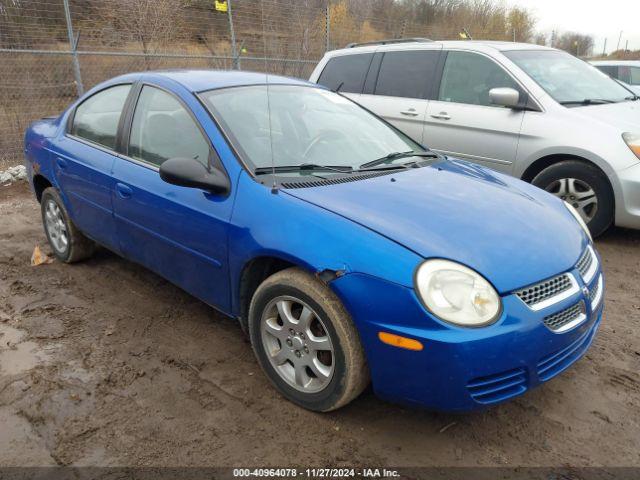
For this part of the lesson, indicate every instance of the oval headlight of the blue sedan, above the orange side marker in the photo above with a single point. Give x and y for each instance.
(457, 294)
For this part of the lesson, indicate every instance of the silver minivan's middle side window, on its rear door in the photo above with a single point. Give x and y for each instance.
(407, 74)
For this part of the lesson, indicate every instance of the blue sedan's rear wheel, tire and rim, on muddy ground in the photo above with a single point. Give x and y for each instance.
(67, 242)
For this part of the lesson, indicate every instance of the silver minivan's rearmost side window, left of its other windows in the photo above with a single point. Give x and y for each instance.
(346, 72)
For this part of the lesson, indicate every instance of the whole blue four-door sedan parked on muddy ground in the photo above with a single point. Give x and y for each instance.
(349, 253)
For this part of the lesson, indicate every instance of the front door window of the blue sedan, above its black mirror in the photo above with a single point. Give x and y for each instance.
(162, 129)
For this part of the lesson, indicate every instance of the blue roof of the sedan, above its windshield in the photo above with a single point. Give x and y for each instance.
(199, 80)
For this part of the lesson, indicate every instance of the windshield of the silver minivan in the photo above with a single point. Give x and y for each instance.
(568, 79)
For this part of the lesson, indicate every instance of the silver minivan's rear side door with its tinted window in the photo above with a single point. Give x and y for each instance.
(399, 85)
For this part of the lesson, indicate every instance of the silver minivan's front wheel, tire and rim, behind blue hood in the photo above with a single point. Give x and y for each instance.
(585, 188)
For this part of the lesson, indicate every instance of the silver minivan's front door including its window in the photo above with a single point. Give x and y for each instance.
(462, 122)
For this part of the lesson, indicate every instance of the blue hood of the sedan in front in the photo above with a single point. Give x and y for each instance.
(509, 231)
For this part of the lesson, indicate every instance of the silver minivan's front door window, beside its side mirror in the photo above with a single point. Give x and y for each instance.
(468, 77)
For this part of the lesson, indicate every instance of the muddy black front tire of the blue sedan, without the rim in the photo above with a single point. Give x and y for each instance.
(350, 373)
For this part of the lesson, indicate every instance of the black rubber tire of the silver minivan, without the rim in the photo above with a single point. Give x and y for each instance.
(589, 175)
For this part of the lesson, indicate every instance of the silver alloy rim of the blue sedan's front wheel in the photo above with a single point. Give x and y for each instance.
(297, 344)
